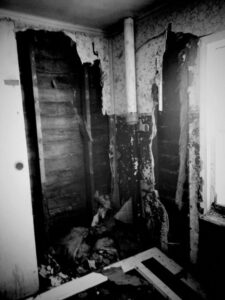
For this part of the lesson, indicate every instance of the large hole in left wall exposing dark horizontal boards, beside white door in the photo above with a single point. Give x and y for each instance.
(55, 85)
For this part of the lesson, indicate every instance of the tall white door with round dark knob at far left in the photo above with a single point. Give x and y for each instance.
(18, 264)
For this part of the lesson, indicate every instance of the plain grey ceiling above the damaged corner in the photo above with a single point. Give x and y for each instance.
(93, 13)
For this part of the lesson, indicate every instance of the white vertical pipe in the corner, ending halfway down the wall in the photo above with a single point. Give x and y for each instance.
(130, 71)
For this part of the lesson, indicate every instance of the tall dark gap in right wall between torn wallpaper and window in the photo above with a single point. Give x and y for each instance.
(172, 140)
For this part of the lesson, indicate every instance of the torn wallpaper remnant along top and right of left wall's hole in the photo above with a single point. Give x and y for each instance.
(90, 47)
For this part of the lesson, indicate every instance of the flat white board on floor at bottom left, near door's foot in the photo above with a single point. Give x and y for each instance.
(73, 287)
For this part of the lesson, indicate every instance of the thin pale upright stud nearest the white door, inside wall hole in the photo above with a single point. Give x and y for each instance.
(39, 134)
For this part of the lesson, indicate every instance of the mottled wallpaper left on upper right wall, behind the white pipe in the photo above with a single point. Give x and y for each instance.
(199, 18)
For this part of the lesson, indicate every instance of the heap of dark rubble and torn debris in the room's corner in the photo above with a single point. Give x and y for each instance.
(84, 250)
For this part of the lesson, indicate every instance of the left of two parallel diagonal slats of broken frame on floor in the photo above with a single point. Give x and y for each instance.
(156, 282)
